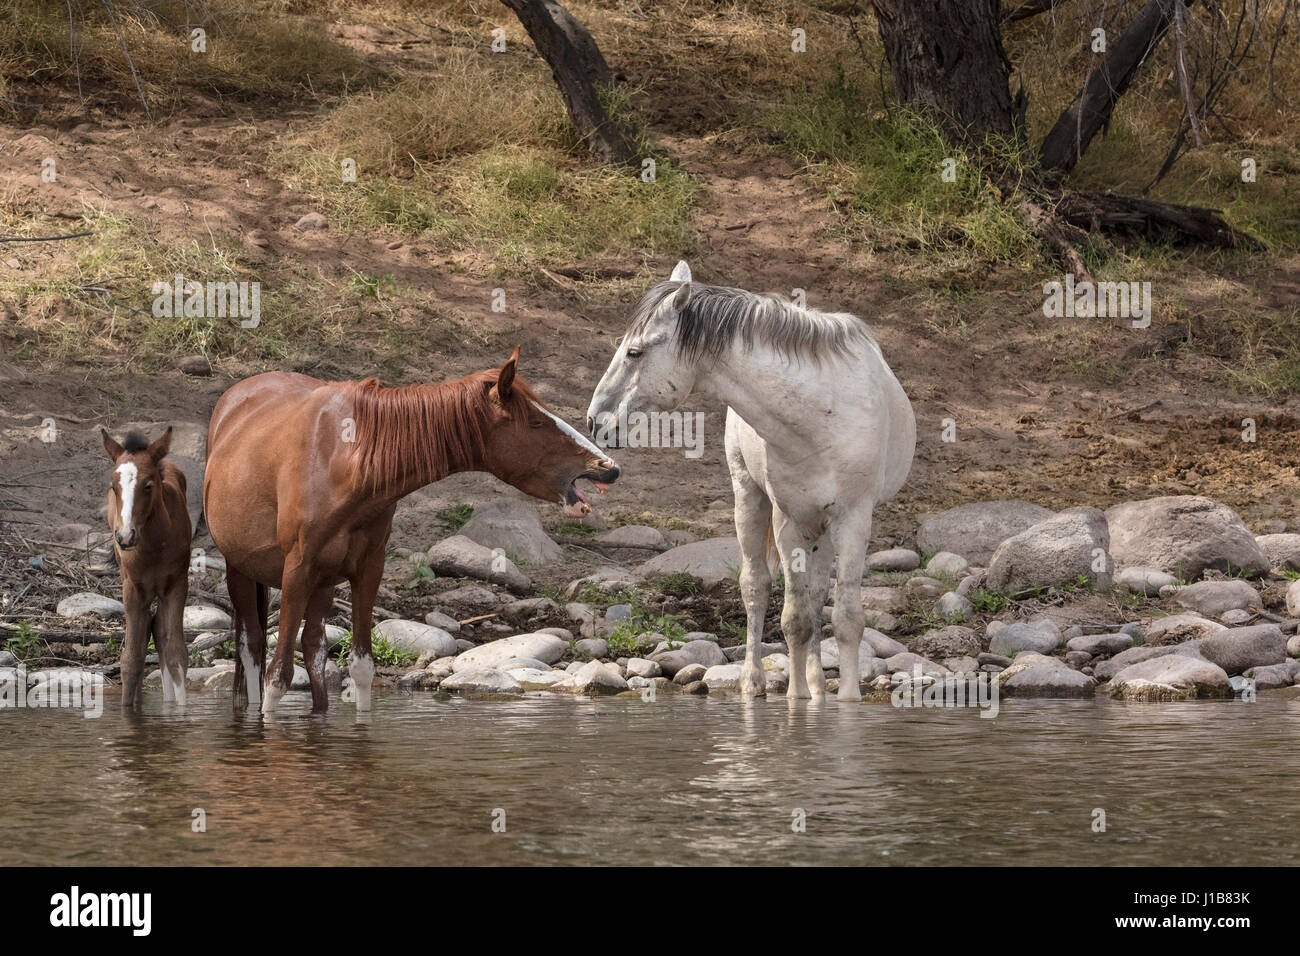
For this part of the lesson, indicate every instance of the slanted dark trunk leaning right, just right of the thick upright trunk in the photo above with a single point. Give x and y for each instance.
(1072, 133)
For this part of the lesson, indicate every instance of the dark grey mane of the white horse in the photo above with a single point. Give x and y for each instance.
(717, 317)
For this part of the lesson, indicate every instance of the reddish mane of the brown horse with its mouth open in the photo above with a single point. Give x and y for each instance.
(426, 429)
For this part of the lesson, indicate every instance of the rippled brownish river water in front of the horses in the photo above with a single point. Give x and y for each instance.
(679, 781)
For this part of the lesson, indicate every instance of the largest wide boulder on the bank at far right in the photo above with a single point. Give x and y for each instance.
(1184, 535)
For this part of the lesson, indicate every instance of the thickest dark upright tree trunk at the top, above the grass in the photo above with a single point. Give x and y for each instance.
(947, 60)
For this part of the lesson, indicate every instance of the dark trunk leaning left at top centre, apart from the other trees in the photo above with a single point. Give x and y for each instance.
(579, 70)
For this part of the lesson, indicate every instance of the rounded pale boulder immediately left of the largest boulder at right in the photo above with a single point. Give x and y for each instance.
(1061, 550)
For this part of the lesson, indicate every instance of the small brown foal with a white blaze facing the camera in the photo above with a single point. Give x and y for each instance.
(151, 537)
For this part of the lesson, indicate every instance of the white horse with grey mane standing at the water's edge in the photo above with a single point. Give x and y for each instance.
(818, 432)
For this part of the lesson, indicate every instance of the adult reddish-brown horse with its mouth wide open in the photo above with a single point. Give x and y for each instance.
(305, 475)
